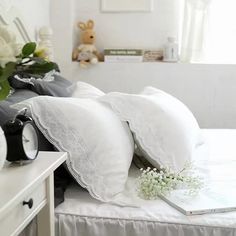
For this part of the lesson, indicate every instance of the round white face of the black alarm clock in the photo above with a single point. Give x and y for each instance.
(30, 141)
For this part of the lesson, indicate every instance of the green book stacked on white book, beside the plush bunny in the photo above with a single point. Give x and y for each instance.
(123, 55)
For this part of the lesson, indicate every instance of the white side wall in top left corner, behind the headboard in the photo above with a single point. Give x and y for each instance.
(35, 13)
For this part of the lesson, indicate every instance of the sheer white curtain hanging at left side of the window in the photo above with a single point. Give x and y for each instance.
(195, 18)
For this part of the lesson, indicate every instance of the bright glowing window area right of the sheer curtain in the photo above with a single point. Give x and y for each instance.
(220, 38)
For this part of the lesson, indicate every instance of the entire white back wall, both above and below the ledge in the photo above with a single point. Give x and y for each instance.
(208, 90)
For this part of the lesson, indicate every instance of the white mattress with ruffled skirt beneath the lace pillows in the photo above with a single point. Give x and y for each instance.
(81, 215)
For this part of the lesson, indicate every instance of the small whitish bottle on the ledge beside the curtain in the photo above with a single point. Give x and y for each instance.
(171, 50)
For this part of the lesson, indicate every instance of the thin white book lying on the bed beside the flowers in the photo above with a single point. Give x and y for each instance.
(205, 202)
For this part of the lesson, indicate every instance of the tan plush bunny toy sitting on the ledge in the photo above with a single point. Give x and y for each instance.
(86, 52)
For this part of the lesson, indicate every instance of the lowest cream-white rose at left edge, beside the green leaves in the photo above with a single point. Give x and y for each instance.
(7, 53)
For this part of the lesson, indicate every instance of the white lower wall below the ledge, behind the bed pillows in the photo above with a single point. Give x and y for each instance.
(208, 90)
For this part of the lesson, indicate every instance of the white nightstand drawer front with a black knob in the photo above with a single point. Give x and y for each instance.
(19, 216)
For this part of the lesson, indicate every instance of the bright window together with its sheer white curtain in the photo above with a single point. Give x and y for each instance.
(209, 31)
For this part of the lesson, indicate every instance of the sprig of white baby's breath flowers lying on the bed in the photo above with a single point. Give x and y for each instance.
(153, 183)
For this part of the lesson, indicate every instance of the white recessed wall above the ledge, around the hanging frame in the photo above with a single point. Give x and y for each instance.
(143, 30)
